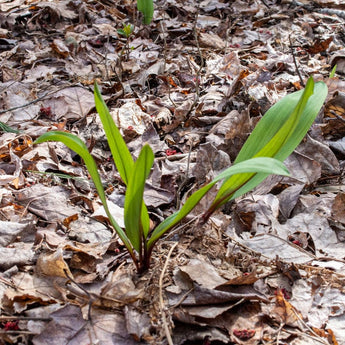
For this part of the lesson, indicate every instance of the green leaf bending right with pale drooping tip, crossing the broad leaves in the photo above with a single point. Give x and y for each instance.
(254, 165)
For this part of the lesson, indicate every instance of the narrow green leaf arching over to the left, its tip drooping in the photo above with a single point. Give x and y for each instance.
(75, 144)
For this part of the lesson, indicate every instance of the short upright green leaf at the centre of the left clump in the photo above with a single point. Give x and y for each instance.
(136, 217)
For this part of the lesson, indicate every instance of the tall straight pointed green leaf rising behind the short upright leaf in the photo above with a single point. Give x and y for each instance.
(121, 155)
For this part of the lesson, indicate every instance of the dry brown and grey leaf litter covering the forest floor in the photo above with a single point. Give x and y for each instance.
(269, 268)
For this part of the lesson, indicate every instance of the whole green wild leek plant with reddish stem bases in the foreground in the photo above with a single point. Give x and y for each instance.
(274, 138)
